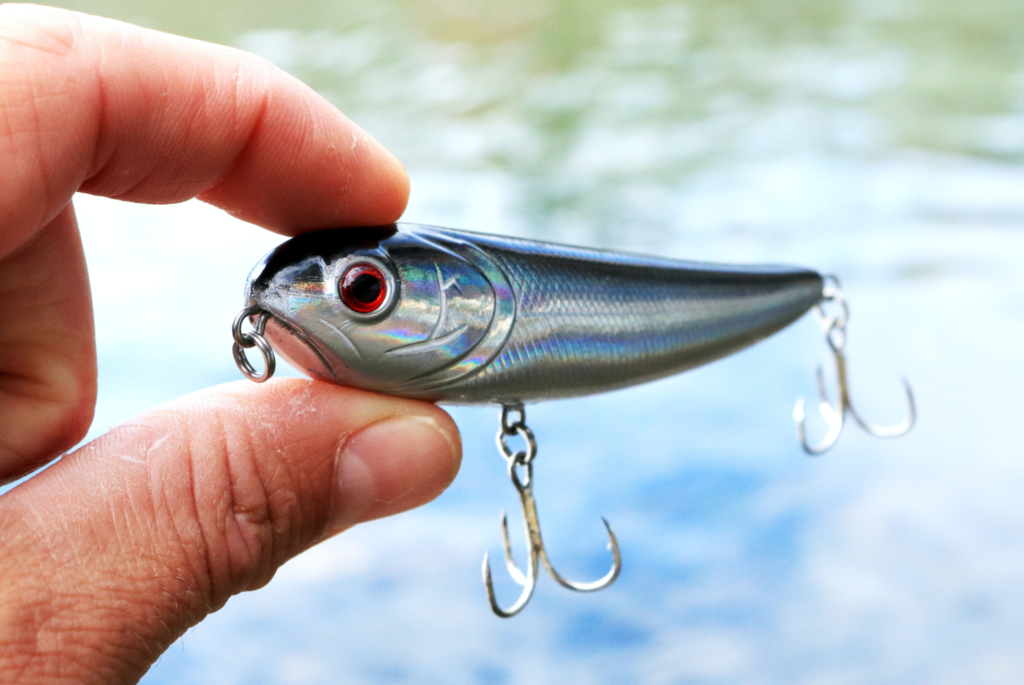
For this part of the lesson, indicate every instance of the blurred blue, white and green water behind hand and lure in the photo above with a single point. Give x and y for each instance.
(879, 140)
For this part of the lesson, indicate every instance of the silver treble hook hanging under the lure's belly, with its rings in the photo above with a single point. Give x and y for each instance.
(537, 553)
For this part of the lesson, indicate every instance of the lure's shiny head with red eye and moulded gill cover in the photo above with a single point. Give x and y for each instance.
(376, 309)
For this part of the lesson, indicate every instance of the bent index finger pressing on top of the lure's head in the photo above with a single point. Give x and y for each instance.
(155, 118)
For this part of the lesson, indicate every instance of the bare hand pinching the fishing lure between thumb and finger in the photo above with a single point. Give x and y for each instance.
(114, 552)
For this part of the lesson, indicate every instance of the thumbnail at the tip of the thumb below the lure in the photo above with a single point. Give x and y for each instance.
(392, 466)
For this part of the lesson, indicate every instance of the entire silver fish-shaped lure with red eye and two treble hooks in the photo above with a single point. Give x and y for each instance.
(456, 317)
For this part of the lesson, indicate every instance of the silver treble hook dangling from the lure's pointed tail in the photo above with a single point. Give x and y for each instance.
(835, 328)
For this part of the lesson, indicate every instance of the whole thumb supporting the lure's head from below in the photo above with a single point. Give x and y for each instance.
(113, 553)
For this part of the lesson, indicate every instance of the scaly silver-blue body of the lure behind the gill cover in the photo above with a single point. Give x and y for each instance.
(588, 321)
